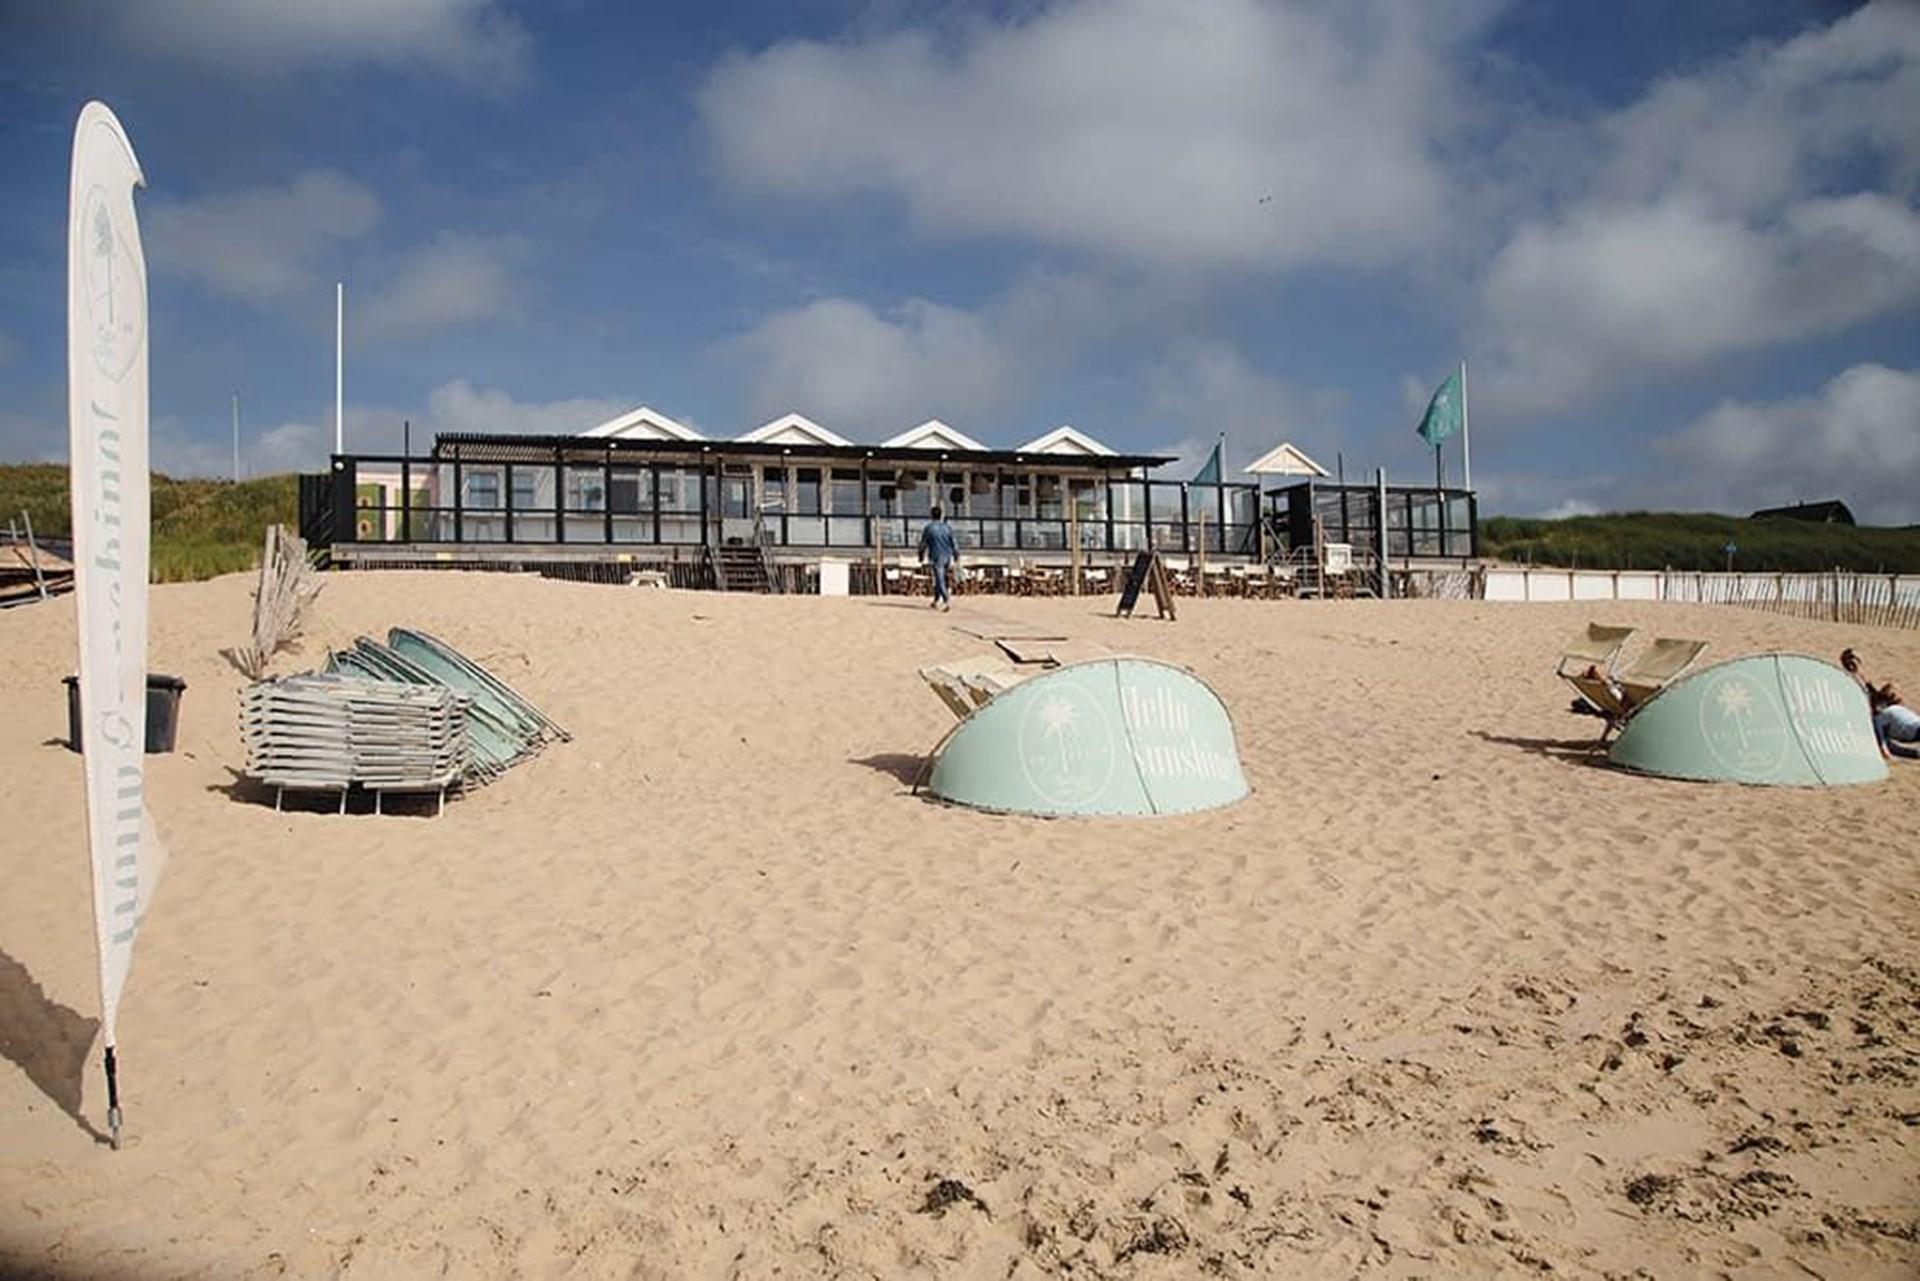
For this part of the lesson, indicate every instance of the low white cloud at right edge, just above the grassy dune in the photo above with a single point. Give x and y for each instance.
(1858, 441)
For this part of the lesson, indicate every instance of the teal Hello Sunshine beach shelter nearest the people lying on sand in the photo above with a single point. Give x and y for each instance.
(1773, 719)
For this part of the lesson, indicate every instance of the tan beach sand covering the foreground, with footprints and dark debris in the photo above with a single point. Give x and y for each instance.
(709, 994)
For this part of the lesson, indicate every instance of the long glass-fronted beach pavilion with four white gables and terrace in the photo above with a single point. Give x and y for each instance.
(788, 498)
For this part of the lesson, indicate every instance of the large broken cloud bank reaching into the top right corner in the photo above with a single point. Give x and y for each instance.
(1740, 206)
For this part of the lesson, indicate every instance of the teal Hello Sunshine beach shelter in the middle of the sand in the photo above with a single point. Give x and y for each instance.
(1109, 737)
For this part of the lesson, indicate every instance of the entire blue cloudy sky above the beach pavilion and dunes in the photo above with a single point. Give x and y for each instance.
(1677, 245)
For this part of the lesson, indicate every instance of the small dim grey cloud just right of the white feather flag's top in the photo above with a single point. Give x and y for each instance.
(260, 245)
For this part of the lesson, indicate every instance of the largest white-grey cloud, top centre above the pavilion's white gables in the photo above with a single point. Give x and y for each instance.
(1218, 133)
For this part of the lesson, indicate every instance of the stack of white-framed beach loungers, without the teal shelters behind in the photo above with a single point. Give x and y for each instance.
(335, 733)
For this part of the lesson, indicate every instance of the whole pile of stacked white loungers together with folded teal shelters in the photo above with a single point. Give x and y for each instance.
(406, 715)
